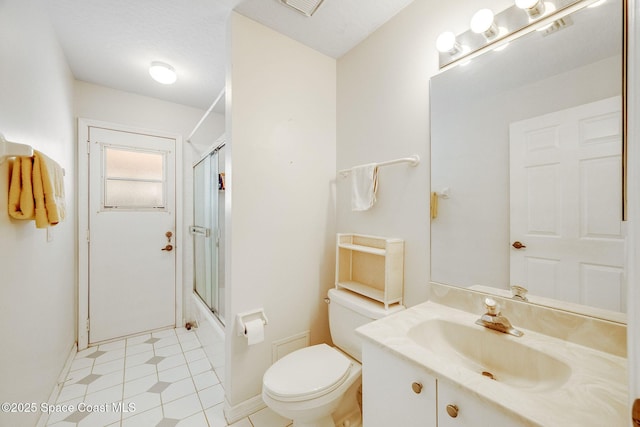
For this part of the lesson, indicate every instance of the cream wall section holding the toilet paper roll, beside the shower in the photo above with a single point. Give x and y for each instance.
(280, 201)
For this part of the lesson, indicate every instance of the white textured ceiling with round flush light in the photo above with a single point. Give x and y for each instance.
(112, 42)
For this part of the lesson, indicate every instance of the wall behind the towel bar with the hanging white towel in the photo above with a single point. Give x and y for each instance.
(383, 114)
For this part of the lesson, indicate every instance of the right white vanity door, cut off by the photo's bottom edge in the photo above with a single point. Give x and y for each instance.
(470, 410)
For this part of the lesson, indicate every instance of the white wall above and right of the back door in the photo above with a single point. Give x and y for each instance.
(110, 105)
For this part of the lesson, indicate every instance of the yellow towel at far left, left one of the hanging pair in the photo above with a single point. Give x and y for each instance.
(21, 204)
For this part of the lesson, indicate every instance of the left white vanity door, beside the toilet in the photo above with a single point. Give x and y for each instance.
(395, 392)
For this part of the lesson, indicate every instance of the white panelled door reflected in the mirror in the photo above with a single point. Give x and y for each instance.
(566, 205)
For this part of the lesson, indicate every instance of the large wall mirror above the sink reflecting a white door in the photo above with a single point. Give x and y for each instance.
(527, 155)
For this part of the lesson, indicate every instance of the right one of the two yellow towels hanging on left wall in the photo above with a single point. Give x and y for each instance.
(48, 191)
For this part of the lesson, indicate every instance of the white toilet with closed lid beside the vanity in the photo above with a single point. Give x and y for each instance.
(318, 386)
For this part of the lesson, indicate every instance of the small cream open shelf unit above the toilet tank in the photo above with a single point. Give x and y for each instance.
(371, 266)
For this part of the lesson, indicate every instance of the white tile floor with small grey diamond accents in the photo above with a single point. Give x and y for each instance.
(163, 379)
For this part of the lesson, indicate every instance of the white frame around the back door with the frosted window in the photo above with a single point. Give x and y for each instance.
(83, 219)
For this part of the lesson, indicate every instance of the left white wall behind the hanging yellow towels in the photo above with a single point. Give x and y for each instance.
(37, 279)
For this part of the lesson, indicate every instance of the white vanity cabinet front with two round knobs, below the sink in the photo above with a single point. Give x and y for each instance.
(397, 392)
